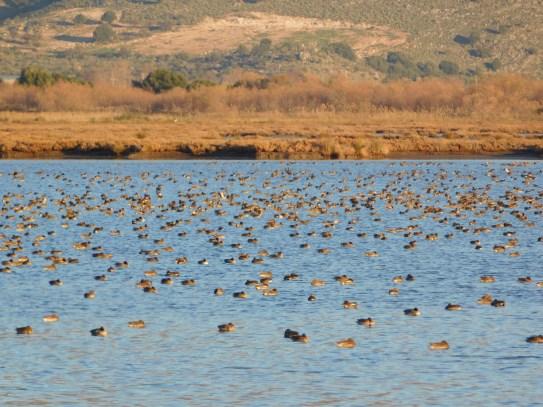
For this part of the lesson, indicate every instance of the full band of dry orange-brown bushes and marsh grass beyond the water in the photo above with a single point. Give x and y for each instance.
(296, 118)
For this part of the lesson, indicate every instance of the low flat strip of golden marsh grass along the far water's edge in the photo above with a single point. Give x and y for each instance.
(266, 136)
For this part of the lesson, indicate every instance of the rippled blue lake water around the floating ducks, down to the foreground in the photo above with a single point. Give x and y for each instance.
(181, 359)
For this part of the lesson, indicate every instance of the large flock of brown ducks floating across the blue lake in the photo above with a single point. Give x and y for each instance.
(283, 198)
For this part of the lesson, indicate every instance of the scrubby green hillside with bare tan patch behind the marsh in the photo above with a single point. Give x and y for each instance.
(217, 38)
